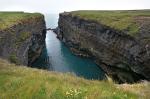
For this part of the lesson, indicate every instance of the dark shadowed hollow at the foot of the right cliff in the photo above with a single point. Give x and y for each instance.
(122, 76)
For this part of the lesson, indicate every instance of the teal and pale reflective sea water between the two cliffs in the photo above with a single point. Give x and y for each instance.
(57, 57)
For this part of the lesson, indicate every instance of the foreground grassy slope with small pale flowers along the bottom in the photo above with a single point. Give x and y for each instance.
(19, 82)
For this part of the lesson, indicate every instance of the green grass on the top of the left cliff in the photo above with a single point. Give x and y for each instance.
(8, 19)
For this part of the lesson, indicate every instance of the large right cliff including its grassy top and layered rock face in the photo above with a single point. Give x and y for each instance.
(119, 41)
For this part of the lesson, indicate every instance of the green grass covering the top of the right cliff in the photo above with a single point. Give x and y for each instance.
(120, 20)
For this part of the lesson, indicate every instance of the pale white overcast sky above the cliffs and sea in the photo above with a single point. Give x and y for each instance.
(56, 6)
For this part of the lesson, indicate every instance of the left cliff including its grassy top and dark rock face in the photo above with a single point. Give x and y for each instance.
(22, 36)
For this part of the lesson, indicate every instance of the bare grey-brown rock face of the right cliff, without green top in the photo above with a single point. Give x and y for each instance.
(126, 58)
